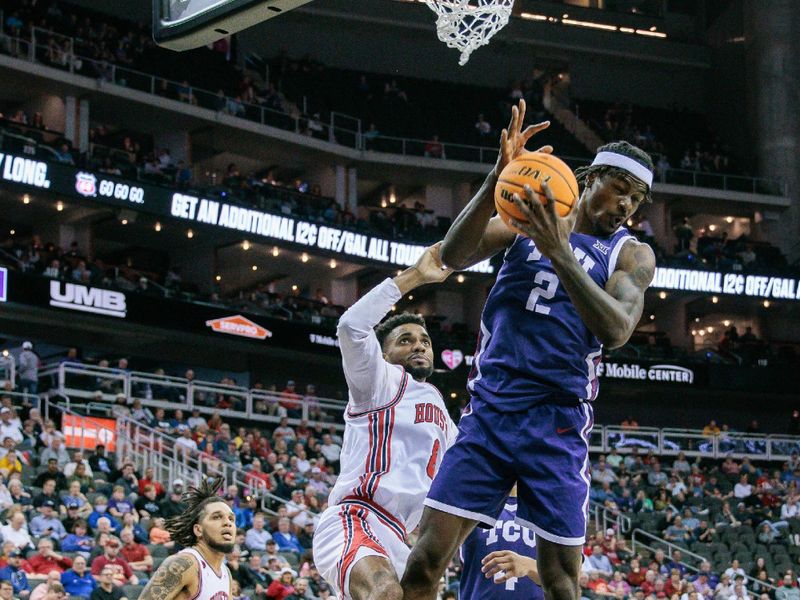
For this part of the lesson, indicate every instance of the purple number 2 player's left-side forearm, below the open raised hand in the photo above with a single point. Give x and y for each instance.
(465, 234)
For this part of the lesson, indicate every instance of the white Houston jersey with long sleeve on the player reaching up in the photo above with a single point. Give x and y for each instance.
(397, 429)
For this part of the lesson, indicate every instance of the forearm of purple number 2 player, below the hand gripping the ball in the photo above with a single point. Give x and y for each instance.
(605, 316)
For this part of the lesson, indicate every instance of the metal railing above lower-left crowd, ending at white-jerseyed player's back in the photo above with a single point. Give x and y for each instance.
(77, 381)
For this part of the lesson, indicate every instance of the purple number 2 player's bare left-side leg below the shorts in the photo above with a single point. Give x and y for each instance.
(441, 534)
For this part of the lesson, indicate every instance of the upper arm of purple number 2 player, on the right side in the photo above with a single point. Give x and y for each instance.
(634, 271)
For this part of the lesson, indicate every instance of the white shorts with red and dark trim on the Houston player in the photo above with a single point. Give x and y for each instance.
(350, 531)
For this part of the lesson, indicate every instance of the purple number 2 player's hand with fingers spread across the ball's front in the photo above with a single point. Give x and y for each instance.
(544, 226)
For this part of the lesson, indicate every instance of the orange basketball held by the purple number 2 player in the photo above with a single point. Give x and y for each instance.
(532, 168)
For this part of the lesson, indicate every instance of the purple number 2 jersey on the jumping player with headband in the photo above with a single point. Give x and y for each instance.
(533, 346)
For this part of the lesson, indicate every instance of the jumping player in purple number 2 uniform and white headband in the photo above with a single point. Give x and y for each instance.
(568, 287)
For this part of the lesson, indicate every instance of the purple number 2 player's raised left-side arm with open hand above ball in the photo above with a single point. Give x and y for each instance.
(475, 235)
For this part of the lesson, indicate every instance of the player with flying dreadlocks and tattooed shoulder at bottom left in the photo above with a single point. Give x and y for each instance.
(207, 530)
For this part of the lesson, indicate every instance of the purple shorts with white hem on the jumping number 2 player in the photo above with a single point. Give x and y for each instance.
(544, 450)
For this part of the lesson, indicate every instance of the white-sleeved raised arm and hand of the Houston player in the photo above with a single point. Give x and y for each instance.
(365, 369)
